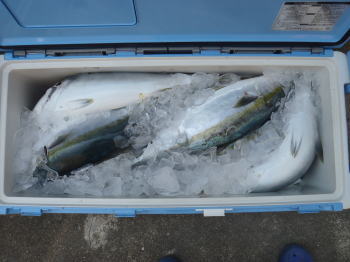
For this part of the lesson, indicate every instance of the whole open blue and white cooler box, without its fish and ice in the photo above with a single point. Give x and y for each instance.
(44, 41)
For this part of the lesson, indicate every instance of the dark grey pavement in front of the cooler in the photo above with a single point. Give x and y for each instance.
(235, 237)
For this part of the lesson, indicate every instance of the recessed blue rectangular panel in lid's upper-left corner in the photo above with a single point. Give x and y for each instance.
(67, 13)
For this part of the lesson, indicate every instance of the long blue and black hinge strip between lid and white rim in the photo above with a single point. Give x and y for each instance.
(166, 50)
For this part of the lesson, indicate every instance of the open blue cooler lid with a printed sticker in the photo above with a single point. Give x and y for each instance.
(66, 22)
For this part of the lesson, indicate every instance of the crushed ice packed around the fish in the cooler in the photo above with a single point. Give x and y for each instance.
(211, 173)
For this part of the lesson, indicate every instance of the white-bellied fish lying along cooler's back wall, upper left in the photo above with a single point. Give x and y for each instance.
(75, 99)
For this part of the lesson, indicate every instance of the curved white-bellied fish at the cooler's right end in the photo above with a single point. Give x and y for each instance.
(294, 156)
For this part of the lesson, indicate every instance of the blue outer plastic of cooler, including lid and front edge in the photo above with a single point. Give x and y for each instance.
(47, 29)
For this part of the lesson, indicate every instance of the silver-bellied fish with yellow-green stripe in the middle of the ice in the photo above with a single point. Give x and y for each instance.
(231, 113)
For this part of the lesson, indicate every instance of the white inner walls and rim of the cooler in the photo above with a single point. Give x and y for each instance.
(24, 82)
